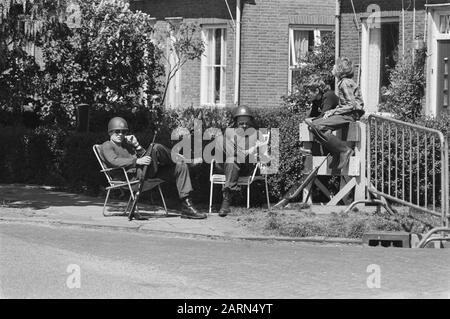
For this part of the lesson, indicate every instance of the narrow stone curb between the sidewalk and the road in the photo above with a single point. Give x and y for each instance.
(138, 229)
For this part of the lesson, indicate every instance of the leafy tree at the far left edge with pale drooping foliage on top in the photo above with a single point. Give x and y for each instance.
(21, 25)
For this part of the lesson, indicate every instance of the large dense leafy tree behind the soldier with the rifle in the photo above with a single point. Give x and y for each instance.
(108, 62)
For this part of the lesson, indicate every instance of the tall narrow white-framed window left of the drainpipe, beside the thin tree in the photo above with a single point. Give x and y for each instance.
(213, 66)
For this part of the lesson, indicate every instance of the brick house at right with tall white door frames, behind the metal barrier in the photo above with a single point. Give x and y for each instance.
(373, 32)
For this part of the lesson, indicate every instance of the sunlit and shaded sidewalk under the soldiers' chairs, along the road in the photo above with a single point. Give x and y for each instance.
(40, 204)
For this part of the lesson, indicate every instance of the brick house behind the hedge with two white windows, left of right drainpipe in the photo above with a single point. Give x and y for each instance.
(272, 35)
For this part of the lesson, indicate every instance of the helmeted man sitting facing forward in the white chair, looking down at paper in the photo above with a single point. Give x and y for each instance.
(234, 165)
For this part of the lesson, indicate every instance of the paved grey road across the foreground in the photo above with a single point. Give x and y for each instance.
(43, 261)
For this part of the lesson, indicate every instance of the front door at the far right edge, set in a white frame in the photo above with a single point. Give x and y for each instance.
(443, 91)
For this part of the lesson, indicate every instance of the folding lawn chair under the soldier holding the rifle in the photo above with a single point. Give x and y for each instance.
(125, 183)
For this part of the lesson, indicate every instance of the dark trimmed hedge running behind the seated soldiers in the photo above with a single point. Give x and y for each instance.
(54, 157)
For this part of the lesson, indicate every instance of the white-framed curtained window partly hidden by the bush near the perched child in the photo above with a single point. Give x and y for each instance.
(302, 39)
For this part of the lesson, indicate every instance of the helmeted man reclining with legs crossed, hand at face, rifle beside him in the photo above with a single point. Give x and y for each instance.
(124, 151)
